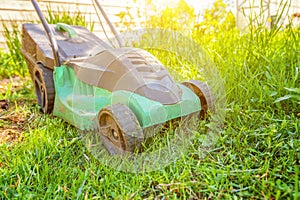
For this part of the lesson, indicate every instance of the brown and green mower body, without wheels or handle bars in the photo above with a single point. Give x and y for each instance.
(94, 75)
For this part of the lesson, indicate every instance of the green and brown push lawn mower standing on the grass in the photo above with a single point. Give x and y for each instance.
(119, 92)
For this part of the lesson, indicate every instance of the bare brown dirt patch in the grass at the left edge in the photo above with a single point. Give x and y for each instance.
(11, 119)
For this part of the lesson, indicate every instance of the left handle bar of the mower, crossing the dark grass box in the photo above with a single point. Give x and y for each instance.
(49, 32)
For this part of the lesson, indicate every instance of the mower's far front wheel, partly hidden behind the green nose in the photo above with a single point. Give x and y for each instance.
(205, 95)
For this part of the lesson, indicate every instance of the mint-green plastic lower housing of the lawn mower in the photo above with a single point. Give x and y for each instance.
(79, 103)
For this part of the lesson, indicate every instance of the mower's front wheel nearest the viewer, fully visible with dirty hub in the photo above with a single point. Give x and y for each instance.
(119, 129)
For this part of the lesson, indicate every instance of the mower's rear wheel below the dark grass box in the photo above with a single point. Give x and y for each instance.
(44, 87)
